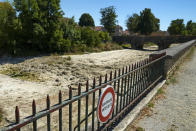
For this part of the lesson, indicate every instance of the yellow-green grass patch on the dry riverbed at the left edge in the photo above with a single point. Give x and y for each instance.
(16, 72)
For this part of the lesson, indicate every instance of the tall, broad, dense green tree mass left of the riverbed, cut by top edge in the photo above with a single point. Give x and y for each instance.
(40, 20)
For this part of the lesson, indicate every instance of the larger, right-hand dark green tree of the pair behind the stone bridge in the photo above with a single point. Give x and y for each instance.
(148, 23)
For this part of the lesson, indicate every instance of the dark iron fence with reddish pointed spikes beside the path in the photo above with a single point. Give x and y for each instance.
(78, 111)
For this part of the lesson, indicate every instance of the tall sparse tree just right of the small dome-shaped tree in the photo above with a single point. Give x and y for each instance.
(108, 19)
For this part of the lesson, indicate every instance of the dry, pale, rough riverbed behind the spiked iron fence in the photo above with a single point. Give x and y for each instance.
(54, 73)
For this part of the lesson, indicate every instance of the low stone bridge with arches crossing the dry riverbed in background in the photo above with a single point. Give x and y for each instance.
(163, 42)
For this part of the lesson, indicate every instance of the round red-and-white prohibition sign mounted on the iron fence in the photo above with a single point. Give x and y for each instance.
(106, 104)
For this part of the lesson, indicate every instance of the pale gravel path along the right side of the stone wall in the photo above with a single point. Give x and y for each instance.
(177, 112)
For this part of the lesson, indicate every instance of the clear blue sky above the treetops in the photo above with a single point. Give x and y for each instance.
(165, 10)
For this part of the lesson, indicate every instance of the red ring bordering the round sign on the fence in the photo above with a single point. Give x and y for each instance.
(101, 117)
